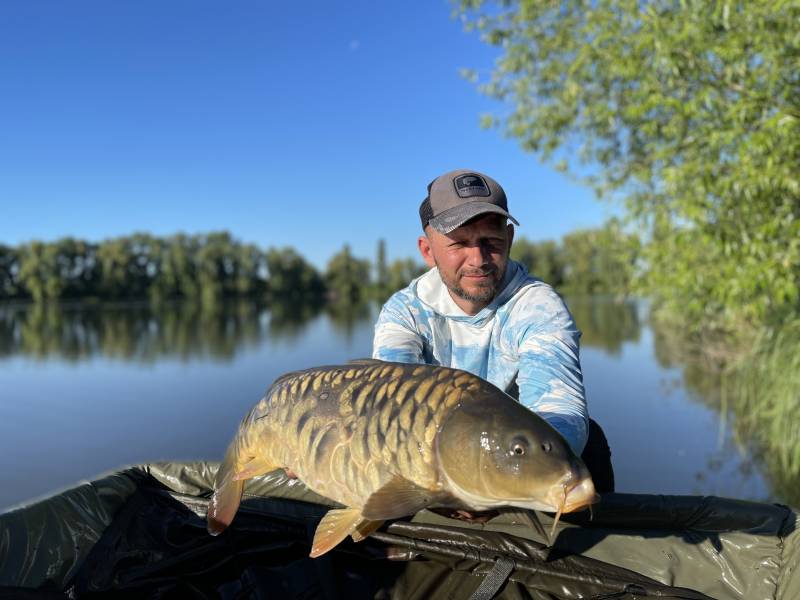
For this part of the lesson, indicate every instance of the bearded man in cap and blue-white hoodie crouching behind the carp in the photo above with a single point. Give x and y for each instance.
(478, 311)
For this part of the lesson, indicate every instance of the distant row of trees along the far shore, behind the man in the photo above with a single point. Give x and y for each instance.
(211, 267)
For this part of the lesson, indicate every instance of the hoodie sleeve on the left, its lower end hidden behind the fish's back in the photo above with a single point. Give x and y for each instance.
(396, 336)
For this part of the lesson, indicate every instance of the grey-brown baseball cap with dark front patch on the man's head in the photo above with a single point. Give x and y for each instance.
(458, 196)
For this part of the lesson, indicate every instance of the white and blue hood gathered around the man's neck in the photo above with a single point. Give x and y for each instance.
(432, 292)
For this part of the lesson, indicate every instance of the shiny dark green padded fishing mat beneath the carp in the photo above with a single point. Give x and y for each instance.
(140, 533)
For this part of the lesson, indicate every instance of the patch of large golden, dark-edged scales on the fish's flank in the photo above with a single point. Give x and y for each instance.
(352, 395)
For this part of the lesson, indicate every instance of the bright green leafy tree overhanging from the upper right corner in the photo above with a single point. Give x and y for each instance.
(690, 110)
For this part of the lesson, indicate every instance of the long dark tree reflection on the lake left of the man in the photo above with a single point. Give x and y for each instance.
(147, 332)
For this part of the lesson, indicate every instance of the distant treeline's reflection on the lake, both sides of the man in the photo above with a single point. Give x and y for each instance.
(146, 332)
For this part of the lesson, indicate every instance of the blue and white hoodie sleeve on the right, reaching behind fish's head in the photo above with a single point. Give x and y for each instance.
(550, 379)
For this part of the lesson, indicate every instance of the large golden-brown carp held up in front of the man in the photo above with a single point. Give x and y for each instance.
(386, 440)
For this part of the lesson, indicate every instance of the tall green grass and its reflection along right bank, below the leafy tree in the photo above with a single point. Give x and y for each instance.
(759, 386)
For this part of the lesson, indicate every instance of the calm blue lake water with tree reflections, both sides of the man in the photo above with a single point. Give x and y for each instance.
(85, 390)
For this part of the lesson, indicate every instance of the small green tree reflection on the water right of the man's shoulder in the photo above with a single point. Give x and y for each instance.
(604, 322)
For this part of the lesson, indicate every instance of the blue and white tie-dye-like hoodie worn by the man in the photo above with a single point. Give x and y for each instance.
(525, 337)
